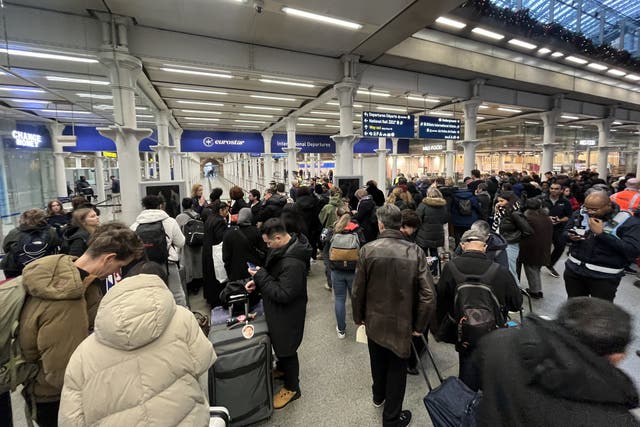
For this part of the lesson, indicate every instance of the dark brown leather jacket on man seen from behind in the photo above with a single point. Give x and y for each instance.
(393, 291)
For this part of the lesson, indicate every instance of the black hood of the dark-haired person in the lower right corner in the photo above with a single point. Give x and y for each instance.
(557, 362)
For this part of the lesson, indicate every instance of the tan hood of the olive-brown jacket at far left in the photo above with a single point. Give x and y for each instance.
(55, 277)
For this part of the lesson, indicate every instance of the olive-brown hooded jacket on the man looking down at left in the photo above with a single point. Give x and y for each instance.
(55, 318)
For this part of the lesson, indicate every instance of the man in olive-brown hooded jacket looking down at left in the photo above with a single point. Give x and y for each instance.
(60, 308)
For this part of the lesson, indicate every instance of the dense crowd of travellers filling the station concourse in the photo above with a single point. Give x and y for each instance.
(419, 246)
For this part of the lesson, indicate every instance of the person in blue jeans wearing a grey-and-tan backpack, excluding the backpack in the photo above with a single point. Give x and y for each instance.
(342, 273)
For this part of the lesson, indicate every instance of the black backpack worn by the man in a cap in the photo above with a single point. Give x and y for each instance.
(477, 310)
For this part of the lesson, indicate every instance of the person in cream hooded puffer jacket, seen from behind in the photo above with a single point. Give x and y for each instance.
(141, 366)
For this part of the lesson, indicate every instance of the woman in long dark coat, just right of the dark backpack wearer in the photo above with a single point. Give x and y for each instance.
(215, 225)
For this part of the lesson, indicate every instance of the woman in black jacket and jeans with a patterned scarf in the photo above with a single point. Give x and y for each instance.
(510, 224)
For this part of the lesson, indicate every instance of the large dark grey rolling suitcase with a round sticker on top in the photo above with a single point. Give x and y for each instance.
(240, 379)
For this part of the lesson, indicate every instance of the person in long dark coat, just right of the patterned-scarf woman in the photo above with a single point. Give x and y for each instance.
(535, 250)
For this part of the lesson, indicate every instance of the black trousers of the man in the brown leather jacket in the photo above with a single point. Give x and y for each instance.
(389, 373)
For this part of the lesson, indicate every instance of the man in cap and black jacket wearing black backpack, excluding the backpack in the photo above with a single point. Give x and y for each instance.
(473, 262)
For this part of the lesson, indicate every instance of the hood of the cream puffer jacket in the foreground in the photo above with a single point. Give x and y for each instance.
(134, 313)
